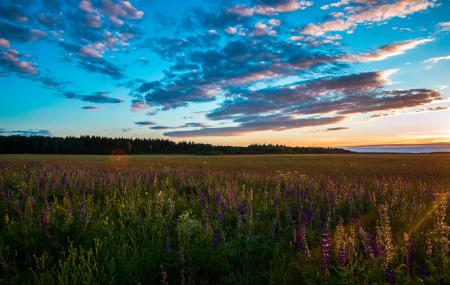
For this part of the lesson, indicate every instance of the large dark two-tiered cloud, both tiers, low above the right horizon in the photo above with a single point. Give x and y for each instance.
(340, 97)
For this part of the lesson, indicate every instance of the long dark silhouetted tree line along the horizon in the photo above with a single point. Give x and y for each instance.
(106, 145)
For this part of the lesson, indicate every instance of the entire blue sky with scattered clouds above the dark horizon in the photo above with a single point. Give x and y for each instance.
(371, 74)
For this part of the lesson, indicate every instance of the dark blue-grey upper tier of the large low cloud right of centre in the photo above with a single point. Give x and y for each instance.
(316, 96)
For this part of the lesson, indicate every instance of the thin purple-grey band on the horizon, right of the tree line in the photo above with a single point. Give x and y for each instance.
(401, 148)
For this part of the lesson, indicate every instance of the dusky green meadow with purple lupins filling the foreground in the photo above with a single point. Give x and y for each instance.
(262, 219)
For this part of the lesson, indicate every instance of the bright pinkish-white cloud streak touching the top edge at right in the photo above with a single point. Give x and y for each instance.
(368, 12)
